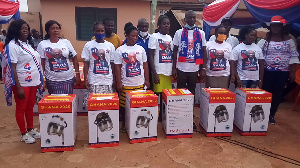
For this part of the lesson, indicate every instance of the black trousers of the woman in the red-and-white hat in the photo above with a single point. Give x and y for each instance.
(274, 82)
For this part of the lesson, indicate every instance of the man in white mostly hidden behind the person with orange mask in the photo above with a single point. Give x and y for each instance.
(233, 41)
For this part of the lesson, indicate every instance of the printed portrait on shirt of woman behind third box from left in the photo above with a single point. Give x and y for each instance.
(132, 67)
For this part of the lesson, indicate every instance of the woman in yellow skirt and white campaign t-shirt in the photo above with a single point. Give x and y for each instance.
(160, 57)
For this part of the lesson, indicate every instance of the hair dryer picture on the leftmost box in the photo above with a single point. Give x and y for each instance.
(56, 127)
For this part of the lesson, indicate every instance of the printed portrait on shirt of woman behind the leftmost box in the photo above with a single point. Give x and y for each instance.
(57, 61)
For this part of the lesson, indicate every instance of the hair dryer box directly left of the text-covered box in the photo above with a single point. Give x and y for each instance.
(141, 115)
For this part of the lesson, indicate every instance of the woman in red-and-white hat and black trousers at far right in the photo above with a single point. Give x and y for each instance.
(281, 57)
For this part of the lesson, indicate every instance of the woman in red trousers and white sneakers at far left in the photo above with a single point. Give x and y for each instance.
(22, 76)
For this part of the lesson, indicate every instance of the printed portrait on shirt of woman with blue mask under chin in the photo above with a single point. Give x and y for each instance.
(100, 63)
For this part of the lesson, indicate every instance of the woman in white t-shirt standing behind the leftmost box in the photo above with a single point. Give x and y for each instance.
(56, 54)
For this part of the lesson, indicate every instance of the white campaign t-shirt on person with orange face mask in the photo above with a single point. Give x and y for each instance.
(218, 56)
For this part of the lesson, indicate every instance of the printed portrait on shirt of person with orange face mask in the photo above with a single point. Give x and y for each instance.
(217, 60)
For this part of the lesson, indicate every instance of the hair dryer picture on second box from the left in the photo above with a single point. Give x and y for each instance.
(103, 122)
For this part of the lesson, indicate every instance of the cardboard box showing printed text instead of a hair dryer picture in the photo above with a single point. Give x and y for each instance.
(177, 113)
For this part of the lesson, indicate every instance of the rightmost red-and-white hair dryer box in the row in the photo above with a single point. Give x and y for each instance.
(252, 110)
